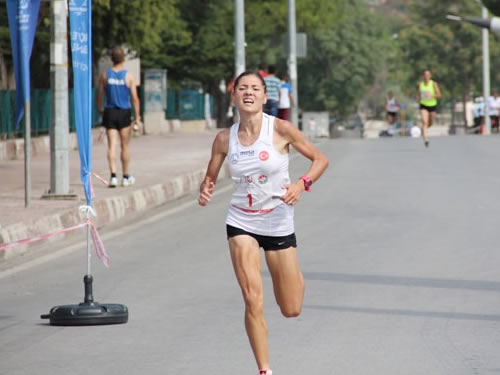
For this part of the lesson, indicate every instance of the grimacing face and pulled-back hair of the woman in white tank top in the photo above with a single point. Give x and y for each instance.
(249, 95)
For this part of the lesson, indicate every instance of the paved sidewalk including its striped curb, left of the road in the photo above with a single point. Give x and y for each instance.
(166, 167)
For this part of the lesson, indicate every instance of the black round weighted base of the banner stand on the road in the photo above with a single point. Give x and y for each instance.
(88, 312)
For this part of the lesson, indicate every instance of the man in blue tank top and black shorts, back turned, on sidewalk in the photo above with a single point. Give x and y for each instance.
(120, 87)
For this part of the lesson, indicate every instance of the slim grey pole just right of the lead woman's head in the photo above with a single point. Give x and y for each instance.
(292, 60)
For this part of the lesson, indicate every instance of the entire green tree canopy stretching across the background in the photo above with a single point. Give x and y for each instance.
(352, 50)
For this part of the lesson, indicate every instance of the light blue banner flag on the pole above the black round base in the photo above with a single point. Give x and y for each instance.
(80, 18)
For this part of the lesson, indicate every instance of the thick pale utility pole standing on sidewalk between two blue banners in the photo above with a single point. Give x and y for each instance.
(59, 127)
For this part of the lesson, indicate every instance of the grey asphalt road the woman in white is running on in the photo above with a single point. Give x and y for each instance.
(398, 245)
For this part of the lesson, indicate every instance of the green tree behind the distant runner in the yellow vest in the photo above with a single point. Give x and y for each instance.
(451, 49)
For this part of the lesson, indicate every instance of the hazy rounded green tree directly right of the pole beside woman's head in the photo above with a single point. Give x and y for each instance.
(344, 53)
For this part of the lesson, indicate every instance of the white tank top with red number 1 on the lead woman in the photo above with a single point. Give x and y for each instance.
(259, 172)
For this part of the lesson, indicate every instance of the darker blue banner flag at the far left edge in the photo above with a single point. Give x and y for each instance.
(23, 16)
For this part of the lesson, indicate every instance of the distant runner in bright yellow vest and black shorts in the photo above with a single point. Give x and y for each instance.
(427, 94)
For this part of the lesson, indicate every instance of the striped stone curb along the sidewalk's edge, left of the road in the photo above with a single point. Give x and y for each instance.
(109, 210)
